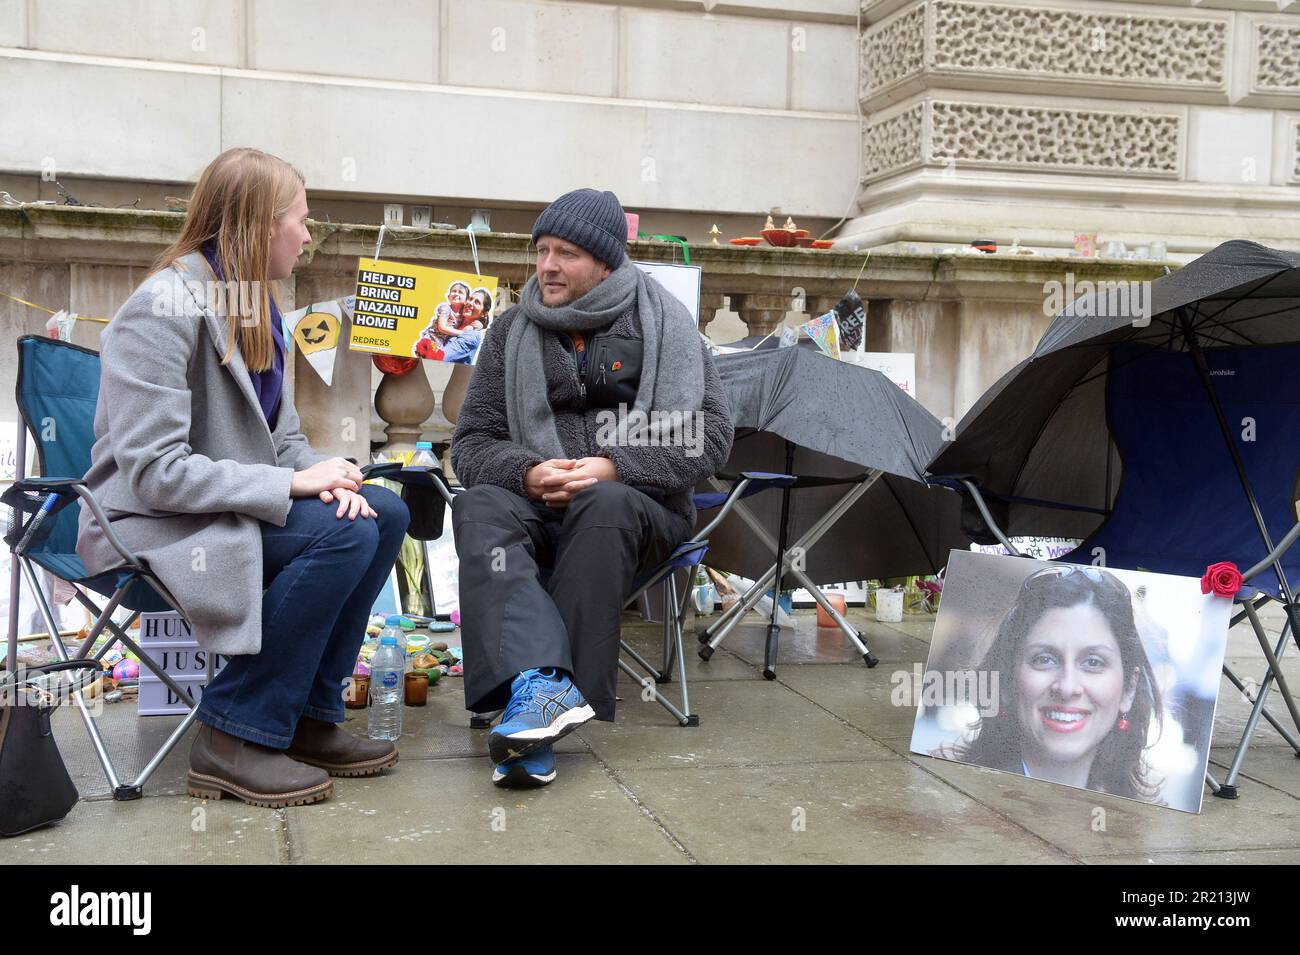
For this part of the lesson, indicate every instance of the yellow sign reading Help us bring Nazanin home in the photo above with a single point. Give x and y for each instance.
(421, 311)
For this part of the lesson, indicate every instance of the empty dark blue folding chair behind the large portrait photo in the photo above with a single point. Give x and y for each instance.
(1181, 505)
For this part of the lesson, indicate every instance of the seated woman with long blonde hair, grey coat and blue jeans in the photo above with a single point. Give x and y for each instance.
(206, 476)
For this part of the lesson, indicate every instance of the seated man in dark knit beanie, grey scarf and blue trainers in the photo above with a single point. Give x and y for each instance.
(593, 413)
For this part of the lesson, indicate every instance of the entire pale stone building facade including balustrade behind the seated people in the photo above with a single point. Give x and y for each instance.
(900, 127)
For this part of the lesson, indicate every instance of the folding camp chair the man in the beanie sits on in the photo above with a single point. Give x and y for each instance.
(687, 557)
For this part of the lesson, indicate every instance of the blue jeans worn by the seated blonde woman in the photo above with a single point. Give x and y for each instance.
(323, 575)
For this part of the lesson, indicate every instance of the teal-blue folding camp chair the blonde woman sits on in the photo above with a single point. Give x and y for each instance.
(57, 393)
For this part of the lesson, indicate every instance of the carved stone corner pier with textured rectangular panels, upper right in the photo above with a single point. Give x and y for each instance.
(1175, 123)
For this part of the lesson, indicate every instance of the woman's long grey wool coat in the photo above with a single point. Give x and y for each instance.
(184, 463)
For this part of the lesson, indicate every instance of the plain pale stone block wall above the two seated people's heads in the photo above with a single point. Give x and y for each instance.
(466, 101)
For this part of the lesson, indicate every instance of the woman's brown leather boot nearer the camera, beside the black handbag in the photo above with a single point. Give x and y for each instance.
(222, 765)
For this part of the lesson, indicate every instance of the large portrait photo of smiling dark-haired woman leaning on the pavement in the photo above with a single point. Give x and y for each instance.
(1090, 678)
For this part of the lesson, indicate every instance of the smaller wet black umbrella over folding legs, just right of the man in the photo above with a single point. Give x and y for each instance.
(834, 426)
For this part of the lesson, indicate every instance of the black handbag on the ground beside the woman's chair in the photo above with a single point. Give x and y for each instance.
(36, 788)
